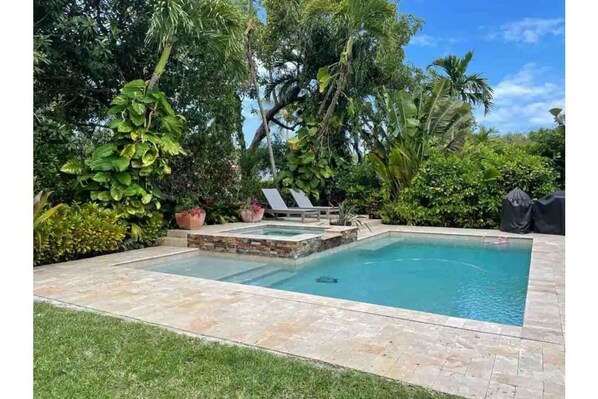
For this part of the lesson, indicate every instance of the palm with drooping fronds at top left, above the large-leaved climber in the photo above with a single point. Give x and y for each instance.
(218, 21)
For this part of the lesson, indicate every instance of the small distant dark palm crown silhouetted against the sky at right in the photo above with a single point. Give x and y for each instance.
(471, 88)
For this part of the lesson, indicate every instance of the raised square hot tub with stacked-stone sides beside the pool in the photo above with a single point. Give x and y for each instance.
(282, 241)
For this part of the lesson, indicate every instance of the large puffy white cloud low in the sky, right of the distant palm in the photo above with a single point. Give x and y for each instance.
(522, 100)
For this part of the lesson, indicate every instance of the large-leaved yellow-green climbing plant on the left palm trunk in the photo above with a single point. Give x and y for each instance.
(122, 173)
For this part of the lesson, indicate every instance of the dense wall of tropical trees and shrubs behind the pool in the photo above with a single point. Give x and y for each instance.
(348, 119)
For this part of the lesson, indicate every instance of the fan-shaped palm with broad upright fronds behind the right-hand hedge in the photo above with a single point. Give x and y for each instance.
(410, 126)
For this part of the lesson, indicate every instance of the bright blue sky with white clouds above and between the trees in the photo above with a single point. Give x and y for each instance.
(518, 45)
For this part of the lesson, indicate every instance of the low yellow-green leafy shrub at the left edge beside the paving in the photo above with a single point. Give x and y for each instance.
(78, 231)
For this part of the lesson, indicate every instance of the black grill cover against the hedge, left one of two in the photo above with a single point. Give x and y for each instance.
(516, 215)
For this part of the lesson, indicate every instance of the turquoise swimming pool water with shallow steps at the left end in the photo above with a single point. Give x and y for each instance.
(486, 282)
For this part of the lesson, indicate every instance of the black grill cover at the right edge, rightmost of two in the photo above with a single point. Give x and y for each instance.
(549, 214)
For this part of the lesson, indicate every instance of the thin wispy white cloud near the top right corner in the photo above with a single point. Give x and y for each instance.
(529, 30)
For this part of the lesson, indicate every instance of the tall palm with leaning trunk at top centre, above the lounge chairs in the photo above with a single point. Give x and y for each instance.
(357, 18)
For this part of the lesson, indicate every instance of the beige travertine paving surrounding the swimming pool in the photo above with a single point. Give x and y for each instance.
(466, 357)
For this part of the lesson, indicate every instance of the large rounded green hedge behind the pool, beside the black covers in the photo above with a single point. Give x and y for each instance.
(466, 190)
